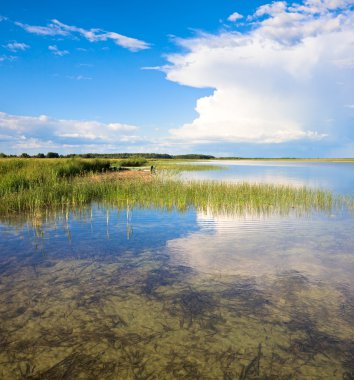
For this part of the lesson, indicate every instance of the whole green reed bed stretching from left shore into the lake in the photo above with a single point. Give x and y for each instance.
(34, 185)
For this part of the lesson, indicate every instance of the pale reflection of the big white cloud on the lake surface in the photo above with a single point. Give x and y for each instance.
(319, 247)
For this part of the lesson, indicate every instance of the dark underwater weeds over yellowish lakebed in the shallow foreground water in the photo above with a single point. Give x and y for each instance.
(132, 317)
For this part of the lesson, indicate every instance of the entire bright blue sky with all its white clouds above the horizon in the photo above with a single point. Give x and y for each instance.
(222, 77)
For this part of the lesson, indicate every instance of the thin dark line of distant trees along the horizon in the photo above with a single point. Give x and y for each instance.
(113, 155)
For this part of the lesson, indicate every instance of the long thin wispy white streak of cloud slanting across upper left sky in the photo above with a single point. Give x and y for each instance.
(57, 28)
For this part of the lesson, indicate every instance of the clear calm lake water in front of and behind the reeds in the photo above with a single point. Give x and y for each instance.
(102, 293)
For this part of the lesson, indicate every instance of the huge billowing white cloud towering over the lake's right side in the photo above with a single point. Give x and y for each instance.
(275, 82)
